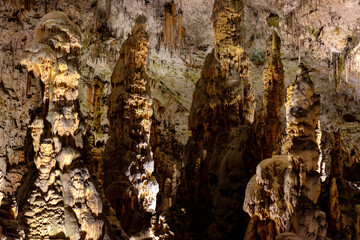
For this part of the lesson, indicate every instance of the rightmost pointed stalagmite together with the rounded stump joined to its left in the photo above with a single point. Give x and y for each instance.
(282, 196)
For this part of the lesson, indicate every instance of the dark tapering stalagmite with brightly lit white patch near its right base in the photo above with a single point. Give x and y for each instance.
(128, 163)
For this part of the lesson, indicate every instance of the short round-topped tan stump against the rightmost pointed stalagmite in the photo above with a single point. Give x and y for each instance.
(264, 199)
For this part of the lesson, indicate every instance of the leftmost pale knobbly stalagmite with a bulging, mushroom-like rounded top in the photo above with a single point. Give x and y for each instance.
(64, 202)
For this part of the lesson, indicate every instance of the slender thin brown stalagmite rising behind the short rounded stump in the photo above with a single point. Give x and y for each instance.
(273, 98)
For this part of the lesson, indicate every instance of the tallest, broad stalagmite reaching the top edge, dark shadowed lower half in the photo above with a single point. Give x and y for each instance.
(219, 154)
